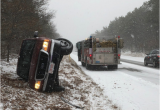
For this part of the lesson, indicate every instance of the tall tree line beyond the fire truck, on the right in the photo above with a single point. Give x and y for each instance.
(139, 28)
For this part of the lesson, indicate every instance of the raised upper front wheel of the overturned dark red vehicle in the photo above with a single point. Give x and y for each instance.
(66, 46)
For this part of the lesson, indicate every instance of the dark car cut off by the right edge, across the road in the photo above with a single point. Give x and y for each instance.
(152, 58)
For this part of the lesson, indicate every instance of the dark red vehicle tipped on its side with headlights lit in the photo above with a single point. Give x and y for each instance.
(39, 61)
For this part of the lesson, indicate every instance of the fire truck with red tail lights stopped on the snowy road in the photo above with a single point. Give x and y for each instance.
(100, 52)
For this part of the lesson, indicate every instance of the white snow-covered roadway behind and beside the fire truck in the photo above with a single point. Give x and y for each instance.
(127, 91)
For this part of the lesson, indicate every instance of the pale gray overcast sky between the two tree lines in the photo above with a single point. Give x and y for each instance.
(77, 19)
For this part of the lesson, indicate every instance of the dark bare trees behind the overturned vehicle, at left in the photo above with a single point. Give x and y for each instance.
(19, 20)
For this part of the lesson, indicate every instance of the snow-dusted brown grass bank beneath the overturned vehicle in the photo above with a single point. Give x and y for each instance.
(80, 90)
